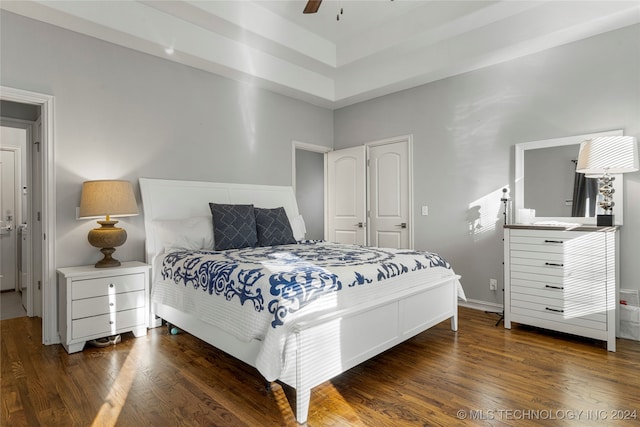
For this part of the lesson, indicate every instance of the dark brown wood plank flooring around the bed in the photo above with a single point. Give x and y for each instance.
(481, 375)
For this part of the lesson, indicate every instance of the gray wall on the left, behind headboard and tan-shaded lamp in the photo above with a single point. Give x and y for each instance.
(121, 114)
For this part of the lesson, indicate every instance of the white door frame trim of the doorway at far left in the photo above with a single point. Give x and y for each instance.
(49, 290)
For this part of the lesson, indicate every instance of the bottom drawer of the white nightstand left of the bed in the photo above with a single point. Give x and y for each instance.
(107, 324)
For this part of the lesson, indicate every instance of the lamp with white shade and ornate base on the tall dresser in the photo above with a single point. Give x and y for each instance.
(601, 156)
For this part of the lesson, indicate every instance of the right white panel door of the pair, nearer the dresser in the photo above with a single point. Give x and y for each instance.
(389, 206)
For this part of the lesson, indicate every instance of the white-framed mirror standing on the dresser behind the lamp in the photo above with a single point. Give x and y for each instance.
(544, 181)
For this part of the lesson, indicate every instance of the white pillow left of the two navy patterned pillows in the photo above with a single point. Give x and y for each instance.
(192, 234)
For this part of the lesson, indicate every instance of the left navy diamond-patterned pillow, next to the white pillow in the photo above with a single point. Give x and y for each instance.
(234, 226)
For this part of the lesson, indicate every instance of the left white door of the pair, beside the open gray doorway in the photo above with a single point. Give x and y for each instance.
(346, 196)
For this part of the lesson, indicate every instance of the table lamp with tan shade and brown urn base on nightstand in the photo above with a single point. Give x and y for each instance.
(107, 198)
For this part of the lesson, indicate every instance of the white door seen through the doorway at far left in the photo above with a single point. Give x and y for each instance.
(9, 171)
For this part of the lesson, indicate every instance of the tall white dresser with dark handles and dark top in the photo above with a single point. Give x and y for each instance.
(562, 279)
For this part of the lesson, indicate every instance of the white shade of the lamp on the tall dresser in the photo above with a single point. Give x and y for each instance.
(608, 154)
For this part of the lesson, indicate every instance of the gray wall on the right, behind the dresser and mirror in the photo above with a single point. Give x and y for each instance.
(465, 128)
